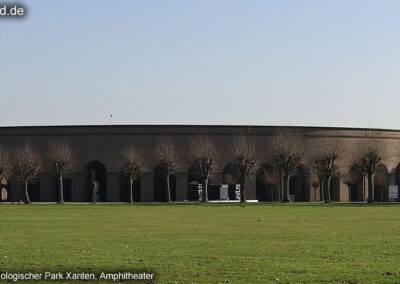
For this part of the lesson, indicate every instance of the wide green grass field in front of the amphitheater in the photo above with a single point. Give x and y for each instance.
(277, 243)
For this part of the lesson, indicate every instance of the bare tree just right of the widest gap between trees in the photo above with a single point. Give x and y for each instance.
(132, 165)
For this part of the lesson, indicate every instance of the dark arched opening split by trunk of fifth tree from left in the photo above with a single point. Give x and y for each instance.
(160, 185)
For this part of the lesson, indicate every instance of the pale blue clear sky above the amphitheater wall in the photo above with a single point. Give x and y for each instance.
(299, 62)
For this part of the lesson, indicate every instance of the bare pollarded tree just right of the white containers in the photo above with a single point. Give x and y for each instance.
(246, 163)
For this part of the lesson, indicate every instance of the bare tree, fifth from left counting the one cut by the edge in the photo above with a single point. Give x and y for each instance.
(168, 156)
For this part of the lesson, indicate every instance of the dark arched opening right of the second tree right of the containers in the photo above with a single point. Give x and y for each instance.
(299, 188)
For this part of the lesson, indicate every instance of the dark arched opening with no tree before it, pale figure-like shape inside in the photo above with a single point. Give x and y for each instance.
(96, 172)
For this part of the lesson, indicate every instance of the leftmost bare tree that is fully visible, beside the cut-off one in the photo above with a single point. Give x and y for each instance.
(28, 166)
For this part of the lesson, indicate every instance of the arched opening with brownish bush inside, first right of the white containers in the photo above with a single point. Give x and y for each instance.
(266, 183)
